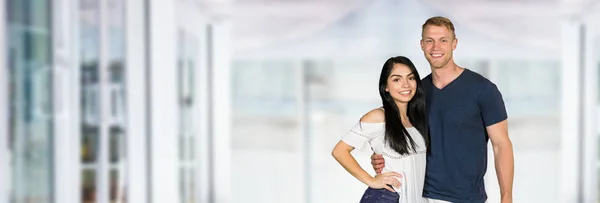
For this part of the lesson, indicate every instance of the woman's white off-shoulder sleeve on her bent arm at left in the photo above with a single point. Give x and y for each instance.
(361, 133)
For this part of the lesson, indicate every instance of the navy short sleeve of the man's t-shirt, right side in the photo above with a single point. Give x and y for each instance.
(491, 104)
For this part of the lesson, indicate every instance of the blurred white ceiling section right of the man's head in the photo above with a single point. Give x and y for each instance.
(529, 22)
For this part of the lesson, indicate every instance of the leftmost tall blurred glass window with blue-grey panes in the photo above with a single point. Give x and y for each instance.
(30, 89)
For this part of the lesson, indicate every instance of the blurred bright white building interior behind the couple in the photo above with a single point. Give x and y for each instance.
(195, 101)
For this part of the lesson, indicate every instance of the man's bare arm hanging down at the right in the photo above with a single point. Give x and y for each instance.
(503, 158)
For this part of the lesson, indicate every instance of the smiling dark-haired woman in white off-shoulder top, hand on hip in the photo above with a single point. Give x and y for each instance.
(399, 131)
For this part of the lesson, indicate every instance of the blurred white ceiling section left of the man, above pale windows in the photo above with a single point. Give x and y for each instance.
(263, 22)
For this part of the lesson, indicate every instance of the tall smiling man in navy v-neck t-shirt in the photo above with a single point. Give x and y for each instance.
(464, 111)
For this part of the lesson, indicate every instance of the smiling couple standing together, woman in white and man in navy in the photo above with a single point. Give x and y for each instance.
(430, 137)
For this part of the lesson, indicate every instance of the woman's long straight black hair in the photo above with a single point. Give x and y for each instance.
(396, 135)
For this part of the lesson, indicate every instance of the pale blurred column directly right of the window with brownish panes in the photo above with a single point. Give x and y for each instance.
(136, 102)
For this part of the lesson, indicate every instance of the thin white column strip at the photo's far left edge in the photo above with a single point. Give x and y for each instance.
(4, 164)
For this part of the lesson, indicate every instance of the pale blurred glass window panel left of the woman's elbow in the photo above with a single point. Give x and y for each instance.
(266, 129)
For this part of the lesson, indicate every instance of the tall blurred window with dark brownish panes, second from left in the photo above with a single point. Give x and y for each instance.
(90, 97)
